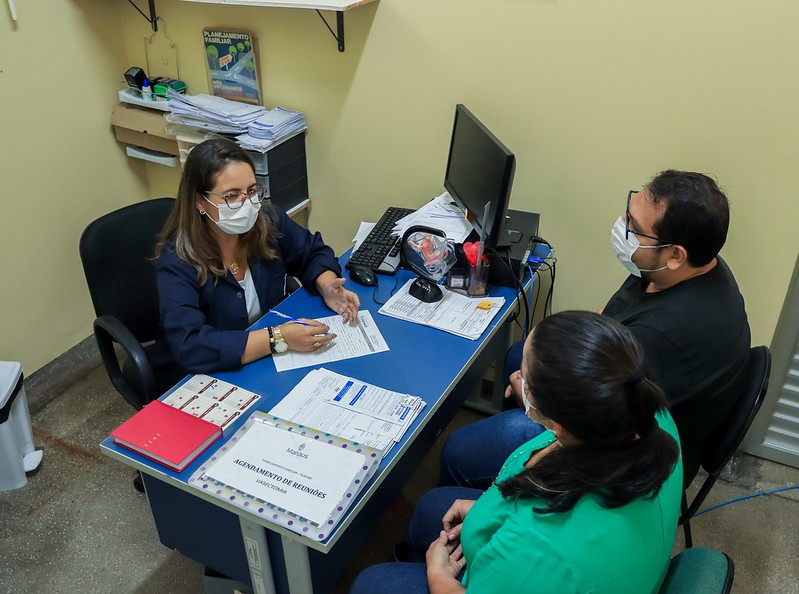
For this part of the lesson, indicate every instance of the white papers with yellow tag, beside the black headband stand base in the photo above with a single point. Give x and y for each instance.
(457, 314)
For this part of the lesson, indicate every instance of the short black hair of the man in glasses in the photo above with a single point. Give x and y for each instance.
(697, 213)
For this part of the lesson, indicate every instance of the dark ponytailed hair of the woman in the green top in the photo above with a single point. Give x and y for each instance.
(586, 371)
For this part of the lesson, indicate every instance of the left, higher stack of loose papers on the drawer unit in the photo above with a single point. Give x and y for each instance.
(212, 113)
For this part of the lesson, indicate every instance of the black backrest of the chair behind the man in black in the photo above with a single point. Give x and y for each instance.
(722, 445)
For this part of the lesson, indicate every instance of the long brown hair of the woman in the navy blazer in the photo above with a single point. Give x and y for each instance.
(193, 243)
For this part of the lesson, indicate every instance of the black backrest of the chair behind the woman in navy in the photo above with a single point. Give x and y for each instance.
(117, 254)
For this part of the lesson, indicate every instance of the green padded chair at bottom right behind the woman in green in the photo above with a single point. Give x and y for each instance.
(699, 571)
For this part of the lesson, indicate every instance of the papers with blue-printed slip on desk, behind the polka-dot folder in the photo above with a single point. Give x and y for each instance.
(350, 409)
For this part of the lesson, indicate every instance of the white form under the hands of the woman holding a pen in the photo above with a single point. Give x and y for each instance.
(352, 340)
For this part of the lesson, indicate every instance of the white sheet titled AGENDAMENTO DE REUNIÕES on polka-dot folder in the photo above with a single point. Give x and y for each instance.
(304, 476)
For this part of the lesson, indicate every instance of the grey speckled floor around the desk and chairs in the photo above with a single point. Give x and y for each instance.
(78, 526)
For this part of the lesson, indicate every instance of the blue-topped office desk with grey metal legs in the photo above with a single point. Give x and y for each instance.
(439, 367)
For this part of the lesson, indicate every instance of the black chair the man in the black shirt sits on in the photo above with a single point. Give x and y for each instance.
(725, 441)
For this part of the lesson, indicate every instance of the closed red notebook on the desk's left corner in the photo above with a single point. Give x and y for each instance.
(166, 435)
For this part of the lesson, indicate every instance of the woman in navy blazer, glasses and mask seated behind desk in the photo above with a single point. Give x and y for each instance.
(222, 262)
